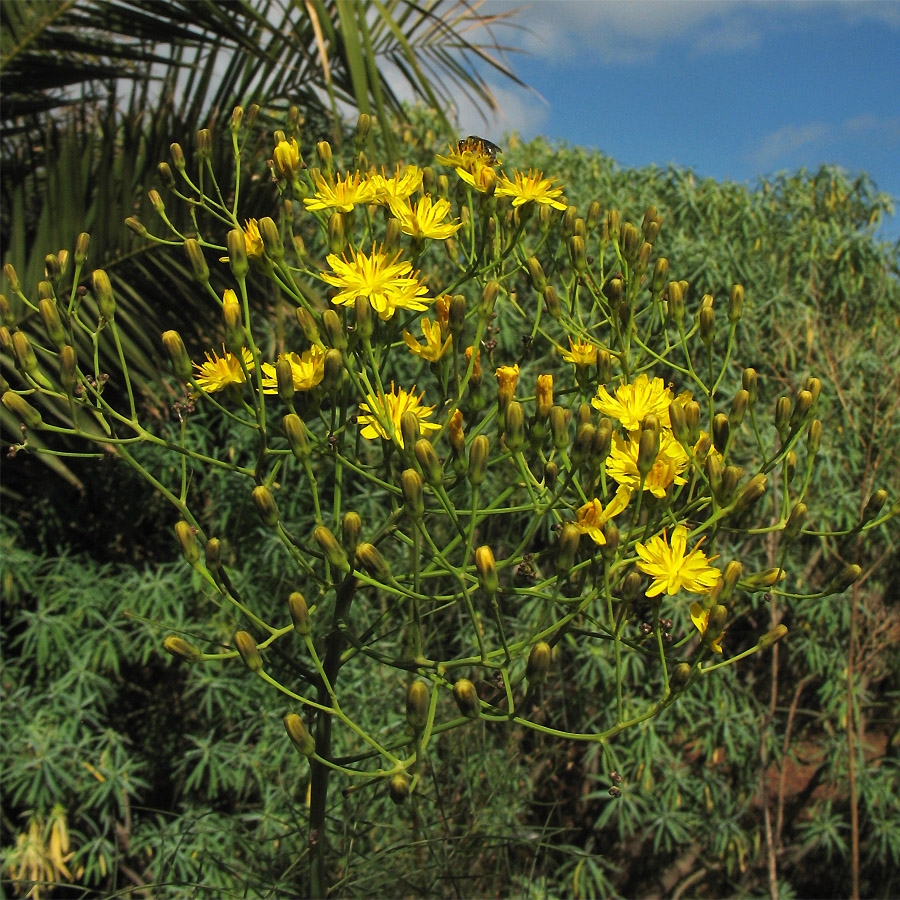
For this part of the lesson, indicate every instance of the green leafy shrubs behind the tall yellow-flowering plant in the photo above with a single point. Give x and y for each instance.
(176, 781)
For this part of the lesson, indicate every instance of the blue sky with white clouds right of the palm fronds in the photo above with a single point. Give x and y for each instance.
(732, 90)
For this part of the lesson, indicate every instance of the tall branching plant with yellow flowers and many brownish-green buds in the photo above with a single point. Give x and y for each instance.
(581, 492)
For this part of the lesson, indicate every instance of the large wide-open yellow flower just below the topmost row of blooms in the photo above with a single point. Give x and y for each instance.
(387, 283)
